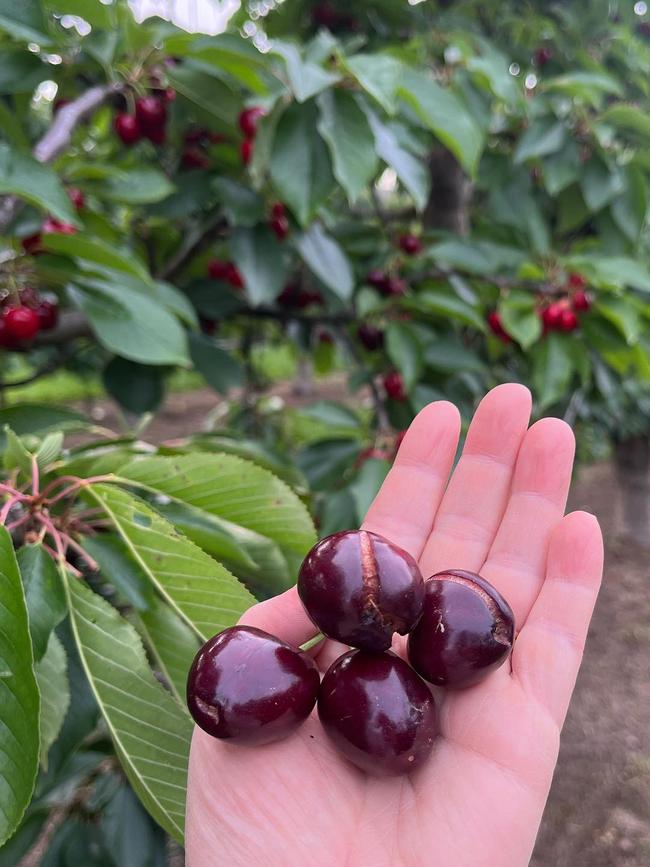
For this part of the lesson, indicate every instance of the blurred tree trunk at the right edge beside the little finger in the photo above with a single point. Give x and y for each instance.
(632, 460)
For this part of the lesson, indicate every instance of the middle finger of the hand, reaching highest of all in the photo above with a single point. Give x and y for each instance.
(474, 502)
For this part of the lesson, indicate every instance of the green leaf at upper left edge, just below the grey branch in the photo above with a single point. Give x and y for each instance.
(23, 176)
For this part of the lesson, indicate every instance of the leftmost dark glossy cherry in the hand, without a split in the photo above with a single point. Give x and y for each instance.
(248, 687)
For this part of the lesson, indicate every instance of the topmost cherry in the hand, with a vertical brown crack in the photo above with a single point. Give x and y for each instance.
(359, 588)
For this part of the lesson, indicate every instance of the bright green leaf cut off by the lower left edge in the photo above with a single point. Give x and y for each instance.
(19, 701)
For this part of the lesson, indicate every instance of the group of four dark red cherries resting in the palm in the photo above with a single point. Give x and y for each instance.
(249, 687)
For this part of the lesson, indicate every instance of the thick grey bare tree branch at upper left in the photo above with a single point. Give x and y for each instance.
(57, 138)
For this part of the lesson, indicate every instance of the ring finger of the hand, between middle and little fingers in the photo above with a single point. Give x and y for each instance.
(517, 559)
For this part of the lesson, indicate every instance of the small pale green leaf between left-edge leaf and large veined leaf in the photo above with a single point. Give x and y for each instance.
(52, 679)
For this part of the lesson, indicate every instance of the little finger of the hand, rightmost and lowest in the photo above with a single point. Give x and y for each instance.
(548, 651)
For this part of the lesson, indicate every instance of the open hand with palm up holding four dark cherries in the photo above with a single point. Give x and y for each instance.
(479, 799)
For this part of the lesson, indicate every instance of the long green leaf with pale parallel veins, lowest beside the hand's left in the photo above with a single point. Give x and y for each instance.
(150, 731)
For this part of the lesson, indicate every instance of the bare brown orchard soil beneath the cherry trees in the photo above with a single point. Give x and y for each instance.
(598, 814)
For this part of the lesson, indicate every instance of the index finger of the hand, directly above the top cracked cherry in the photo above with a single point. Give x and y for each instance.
(404, 508)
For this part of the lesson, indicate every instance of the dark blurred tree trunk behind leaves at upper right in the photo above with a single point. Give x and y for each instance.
(448, 205)
